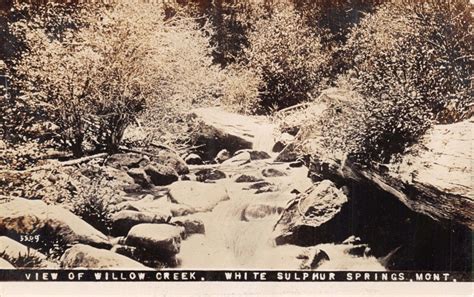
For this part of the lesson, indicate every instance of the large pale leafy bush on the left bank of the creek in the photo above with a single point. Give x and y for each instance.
(95, 79)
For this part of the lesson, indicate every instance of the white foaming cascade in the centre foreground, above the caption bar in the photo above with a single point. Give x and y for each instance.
(230, 243)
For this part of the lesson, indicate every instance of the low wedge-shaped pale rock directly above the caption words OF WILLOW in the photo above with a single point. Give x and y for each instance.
(84, 256)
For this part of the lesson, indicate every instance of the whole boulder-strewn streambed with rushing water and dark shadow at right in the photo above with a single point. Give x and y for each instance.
(230, 204)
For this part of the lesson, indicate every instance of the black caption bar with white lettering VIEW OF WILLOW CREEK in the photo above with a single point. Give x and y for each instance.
(236, 276)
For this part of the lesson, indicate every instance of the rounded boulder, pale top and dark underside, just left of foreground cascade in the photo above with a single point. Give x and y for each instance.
(156, 238)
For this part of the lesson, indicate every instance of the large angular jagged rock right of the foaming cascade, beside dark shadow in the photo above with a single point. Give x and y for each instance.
(308, 220)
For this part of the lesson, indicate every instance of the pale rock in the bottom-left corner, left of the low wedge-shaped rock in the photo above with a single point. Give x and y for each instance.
(22, 256)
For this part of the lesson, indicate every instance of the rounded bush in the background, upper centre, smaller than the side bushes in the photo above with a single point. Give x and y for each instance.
(287, 57)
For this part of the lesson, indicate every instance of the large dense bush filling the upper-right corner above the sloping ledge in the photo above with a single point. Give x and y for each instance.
(412, 62)
